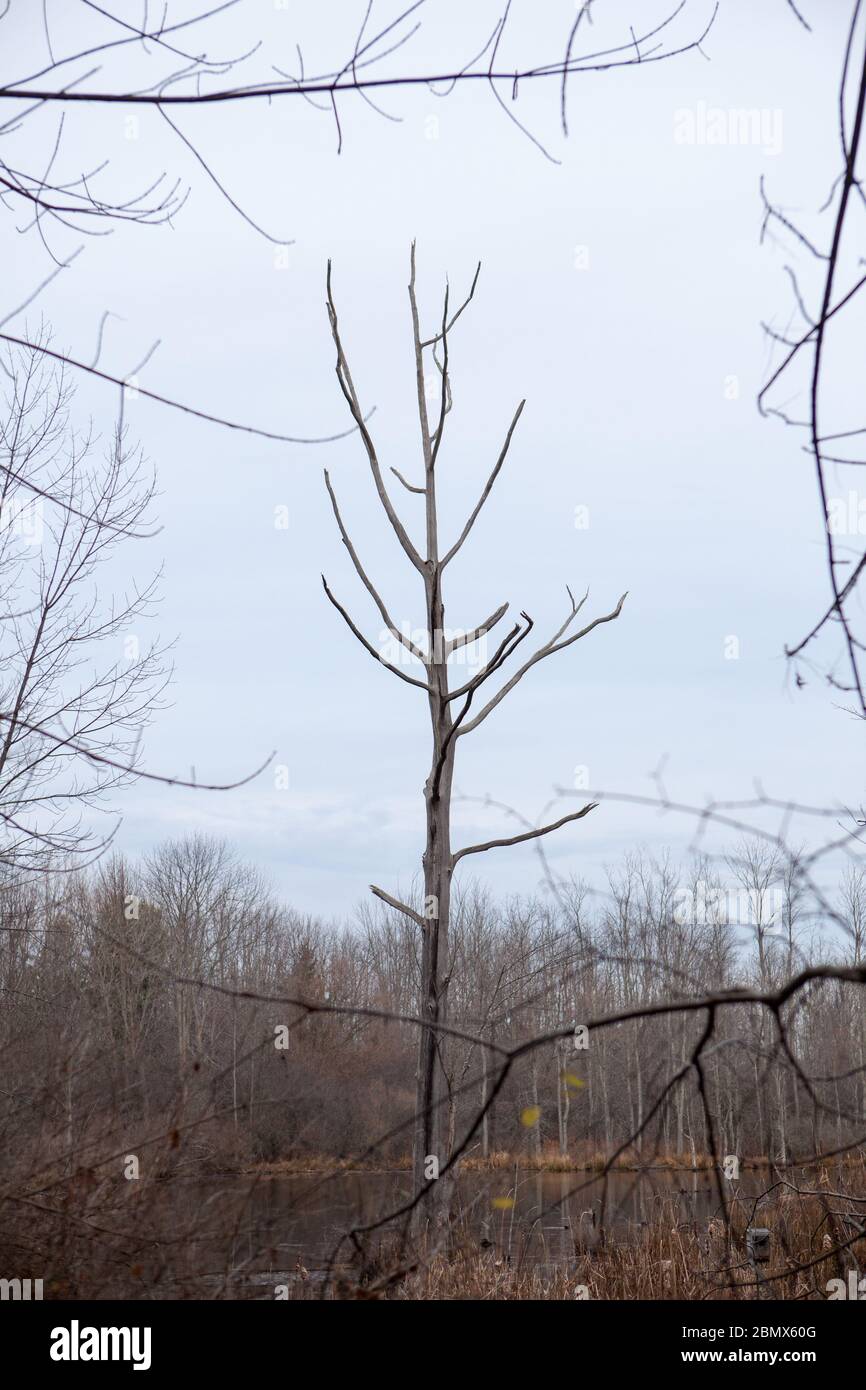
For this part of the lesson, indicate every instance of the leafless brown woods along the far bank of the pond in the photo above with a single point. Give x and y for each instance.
(179, 996)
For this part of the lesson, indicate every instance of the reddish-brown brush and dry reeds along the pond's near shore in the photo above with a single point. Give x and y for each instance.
(91, 1236)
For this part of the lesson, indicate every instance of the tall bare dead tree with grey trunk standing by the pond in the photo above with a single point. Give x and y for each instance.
(450, 707)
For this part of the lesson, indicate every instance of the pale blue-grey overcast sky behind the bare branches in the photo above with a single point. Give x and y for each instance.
(622, 294)
